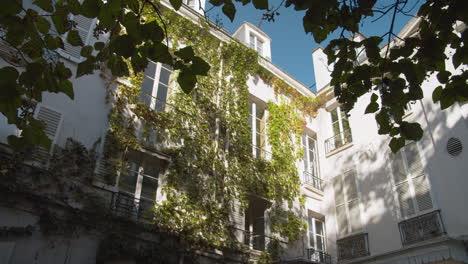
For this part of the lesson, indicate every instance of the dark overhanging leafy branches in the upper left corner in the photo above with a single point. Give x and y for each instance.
(37, 35)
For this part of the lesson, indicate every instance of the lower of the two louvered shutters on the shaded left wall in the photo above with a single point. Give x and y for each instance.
(52, 121)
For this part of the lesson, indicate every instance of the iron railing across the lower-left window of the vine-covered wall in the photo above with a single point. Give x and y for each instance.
(126, 205)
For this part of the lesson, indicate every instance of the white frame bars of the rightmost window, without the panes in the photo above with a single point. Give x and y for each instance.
(409, 179)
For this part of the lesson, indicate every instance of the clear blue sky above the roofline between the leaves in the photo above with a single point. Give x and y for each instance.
(291, 47)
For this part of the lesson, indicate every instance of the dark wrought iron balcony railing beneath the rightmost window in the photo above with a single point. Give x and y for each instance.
(421, 228)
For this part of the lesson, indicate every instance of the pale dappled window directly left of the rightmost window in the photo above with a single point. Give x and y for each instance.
(347, 203)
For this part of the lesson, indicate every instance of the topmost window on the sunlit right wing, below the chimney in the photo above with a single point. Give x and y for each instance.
(341, 130)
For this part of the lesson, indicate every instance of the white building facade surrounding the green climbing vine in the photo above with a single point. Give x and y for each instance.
(363, 204)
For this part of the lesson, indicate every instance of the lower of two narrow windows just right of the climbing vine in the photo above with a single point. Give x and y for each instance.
(317, 240)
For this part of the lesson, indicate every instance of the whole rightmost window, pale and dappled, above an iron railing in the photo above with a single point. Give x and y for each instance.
(411, 184)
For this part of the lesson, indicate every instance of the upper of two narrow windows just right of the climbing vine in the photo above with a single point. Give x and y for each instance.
(311, 172)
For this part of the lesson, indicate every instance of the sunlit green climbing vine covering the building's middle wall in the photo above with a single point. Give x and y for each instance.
(212, 170)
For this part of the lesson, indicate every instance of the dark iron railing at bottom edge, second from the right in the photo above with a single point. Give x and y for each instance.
(351, 247)
